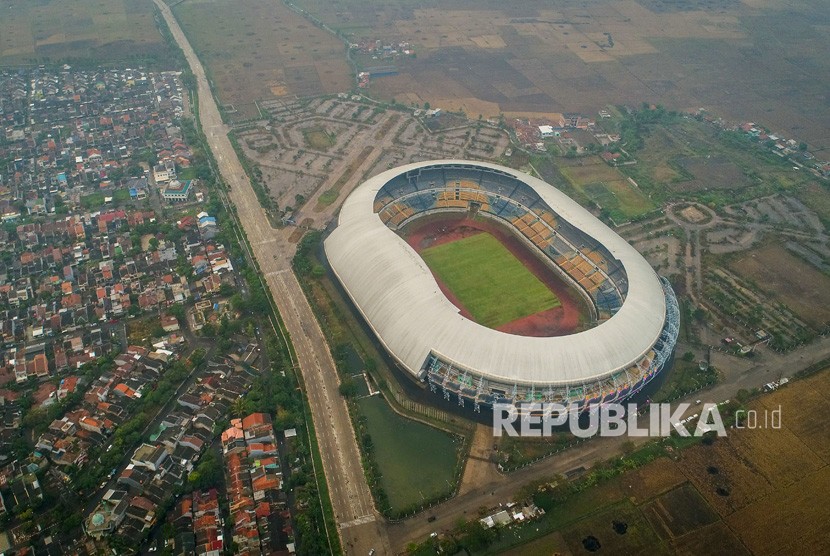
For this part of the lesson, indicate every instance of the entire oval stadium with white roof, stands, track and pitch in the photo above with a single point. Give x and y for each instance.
(494, 287)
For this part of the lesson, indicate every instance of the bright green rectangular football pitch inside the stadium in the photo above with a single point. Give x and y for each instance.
(492, 284)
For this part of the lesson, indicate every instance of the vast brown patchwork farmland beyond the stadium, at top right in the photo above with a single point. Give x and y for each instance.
(490, 57)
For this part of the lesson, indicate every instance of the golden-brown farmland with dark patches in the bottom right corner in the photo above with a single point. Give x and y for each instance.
(756, 491)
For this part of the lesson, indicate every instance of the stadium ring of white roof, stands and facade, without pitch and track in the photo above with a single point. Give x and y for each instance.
(635, 311)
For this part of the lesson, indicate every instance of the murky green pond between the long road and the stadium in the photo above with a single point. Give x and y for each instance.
(416, 461)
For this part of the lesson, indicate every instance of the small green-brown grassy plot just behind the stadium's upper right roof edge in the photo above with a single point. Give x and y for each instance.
(606, 187)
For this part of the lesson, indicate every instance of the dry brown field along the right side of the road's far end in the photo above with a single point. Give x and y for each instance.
(259, 50)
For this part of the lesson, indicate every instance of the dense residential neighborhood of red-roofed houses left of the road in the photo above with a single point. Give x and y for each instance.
(123, 314)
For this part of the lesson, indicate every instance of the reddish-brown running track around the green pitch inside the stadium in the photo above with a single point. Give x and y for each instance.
(559, 321)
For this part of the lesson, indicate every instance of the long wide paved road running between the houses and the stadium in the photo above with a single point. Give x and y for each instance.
(359, 526)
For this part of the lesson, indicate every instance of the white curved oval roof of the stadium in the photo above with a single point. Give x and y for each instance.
(398, 296)
